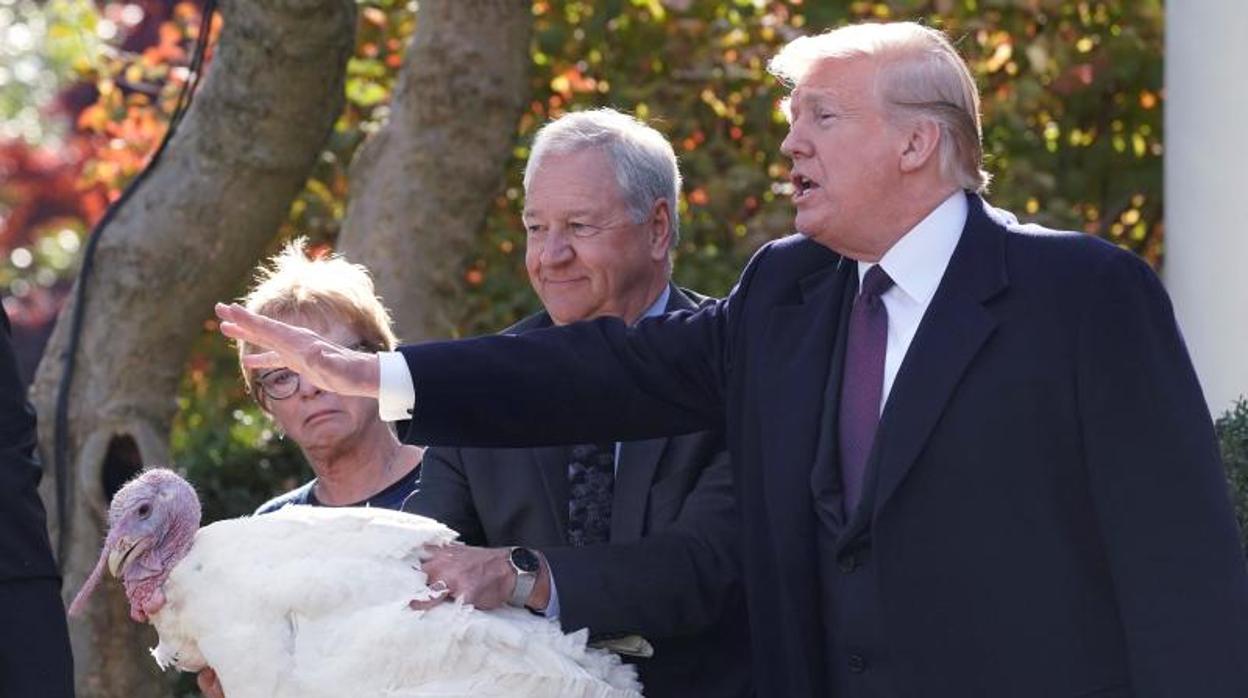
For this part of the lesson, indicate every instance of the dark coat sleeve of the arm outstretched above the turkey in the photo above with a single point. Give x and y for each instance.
(583, 383)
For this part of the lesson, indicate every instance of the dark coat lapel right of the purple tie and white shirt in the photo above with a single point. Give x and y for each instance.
(950, 335)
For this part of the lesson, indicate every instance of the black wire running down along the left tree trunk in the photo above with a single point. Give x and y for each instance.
(61, 445)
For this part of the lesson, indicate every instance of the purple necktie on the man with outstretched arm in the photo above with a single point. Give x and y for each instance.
(863, 384)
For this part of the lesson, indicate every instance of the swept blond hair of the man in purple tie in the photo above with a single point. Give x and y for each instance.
(922, 74)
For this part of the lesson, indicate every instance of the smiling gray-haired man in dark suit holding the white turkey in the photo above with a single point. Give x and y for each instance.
(636, 541)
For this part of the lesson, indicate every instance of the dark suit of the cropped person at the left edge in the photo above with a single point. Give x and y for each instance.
(34, 642)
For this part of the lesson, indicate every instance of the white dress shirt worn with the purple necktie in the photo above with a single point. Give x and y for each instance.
(917, 264)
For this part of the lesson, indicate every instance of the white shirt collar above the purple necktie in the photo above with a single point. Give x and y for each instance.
(918, 262)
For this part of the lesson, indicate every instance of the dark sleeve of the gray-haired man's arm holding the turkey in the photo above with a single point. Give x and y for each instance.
(673, 582)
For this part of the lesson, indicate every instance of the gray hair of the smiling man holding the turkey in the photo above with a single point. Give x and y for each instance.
(645, 163)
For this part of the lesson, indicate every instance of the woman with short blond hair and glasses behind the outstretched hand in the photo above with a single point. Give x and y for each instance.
(356, 456)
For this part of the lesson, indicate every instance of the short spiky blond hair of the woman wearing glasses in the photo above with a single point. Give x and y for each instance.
(324, 290)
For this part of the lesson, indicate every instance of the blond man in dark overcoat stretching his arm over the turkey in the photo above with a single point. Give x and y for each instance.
(973, 456)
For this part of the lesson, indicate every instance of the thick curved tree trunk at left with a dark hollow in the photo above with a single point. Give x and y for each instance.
(188, 238)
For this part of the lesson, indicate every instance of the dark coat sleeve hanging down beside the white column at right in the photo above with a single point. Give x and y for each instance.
(1160, 494)
